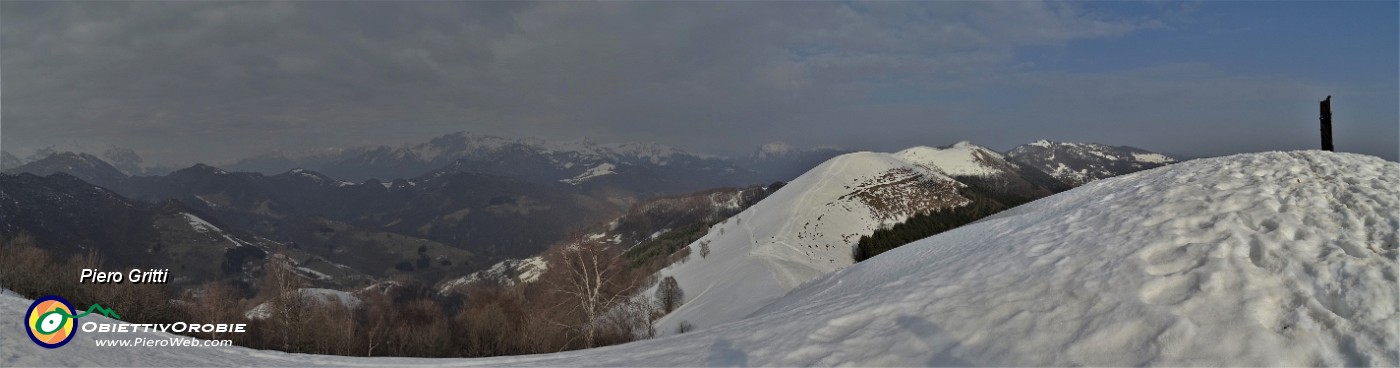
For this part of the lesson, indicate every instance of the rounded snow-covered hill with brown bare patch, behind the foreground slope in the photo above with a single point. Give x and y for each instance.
(801, 232)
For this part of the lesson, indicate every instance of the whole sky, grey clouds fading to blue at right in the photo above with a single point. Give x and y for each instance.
(184, 82)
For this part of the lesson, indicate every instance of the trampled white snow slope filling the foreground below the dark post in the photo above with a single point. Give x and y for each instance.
(1254, 260)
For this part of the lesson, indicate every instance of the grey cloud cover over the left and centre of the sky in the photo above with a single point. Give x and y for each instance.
(213, 82)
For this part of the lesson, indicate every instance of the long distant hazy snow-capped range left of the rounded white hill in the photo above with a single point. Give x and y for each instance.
(633, 167)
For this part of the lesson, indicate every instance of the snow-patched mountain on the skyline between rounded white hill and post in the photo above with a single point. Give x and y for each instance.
(1081, 163)
